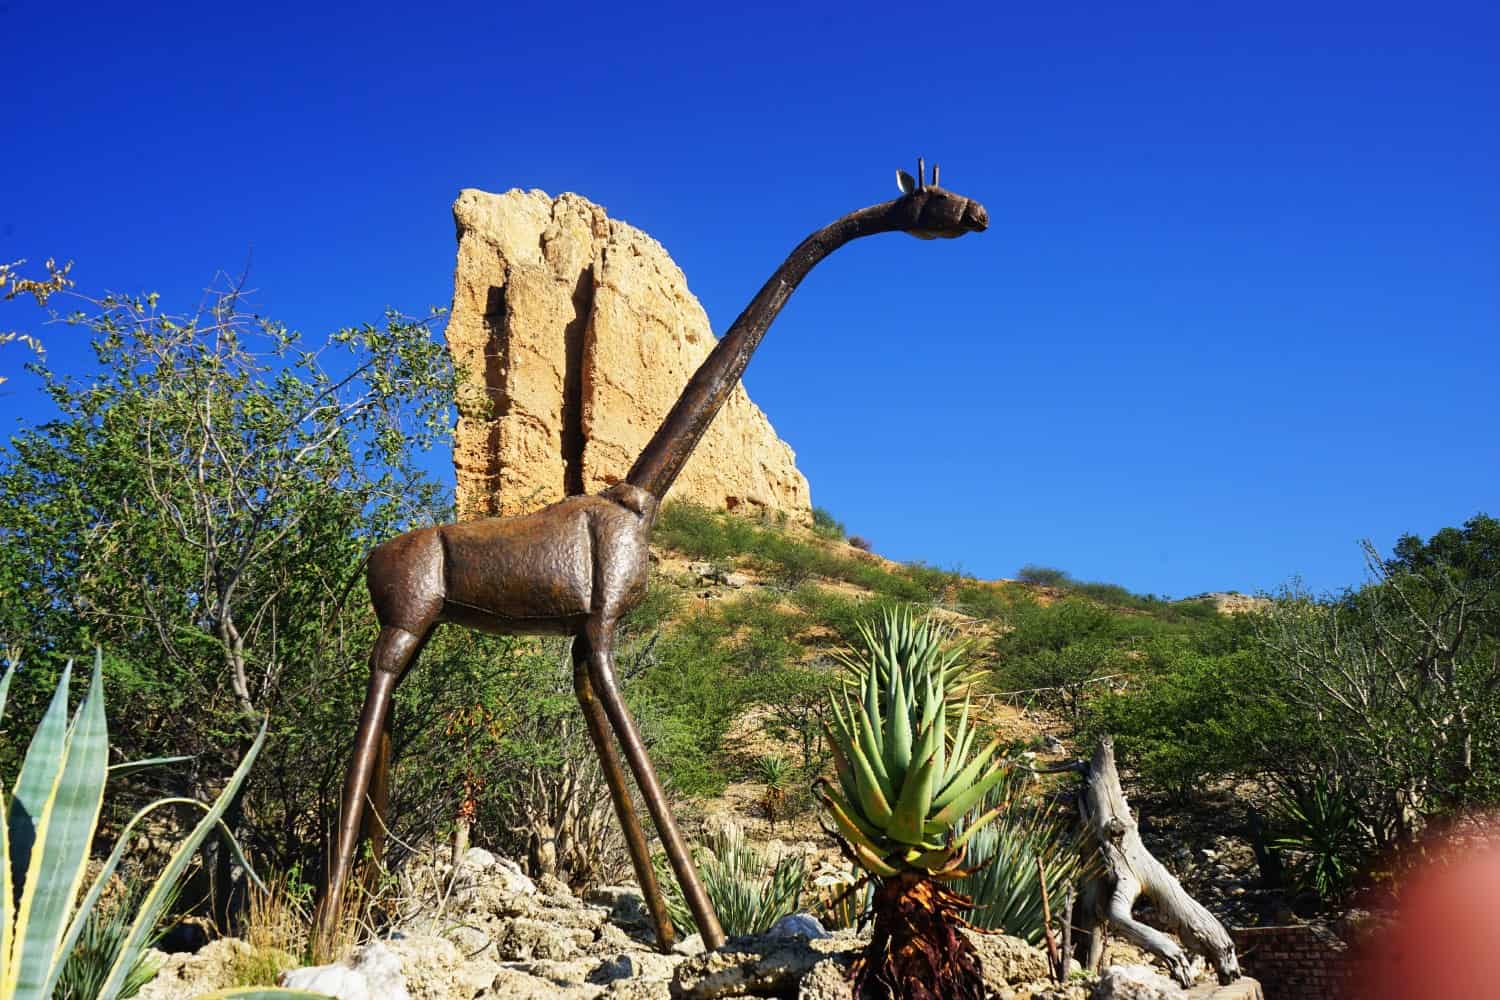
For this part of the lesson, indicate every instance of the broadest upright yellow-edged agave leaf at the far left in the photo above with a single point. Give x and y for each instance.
(64, 831)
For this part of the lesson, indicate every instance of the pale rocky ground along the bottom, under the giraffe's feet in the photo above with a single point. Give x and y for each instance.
(494, 933)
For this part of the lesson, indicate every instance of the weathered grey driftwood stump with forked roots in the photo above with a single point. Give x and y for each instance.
(1133, 872)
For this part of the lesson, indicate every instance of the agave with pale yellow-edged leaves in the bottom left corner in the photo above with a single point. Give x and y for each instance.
(50, 813)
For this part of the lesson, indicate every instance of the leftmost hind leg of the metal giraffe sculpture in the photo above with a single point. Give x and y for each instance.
(394, 653)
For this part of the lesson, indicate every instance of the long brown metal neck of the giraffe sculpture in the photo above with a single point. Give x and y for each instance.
(716, 379)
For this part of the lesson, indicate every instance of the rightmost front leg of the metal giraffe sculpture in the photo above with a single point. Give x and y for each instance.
(602, 672)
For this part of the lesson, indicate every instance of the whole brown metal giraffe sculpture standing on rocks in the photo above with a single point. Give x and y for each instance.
(577, 567)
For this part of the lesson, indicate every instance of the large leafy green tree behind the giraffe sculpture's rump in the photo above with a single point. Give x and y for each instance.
(197, 507)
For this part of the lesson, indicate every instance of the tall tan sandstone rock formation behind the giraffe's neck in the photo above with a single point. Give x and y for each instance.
(577, 334)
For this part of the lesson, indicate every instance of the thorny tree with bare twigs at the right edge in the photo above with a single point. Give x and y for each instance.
(1400, 681)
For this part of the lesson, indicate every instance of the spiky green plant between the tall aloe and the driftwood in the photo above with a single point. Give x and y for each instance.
(1006, 885)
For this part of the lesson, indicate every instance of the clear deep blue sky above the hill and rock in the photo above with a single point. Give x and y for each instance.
(1238, 307)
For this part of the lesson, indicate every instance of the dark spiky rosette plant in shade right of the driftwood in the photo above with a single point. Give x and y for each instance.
(1322, 831)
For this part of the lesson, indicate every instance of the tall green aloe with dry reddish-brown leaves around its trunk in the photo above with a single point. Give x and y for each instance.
(908, 776)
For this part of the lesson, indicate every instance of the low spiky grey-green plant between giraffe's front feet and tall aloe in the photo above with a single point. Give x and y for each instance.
(748, 891)
